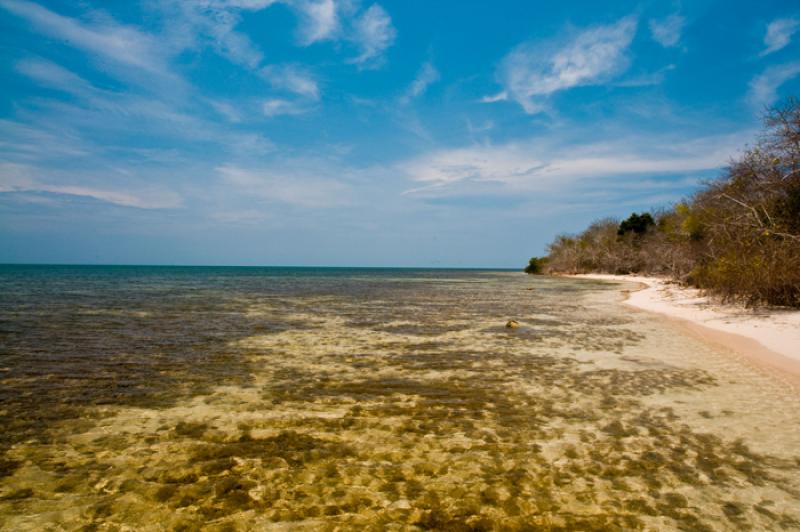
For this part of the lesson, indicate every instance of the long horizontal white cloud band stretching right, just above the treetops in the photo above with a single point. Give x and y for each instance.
(541, 165)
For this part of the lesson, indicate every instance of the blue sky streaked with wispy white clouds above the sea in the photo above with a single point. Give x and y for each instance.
(356, 133)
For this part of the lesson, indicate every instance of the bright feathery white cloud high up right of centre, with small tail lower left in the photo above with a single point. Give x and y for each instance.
(534, 71)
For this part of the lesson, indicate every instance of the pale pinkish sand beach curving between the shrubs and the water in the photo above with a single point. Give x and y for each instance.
(766, 338)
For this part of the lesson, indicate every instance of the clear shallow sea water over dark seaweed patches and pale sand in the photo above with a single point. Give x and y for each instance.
(239, 398)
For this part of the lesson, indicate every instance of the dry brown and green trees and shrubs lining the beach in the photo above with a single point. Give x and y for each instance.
(738, 237)
